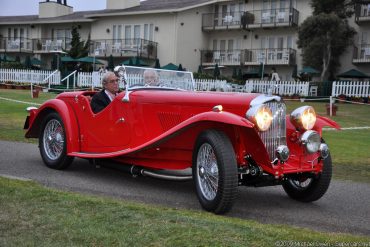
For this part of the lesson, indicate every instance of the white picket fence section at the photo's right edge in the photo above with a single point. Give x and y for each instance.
(351, 88)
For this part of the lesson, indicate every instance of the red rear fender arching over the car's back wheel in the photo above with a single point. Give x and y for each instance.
(69, 119)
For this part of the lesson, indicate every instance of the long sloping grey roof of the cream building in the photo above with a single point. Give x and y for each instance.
(148, 6)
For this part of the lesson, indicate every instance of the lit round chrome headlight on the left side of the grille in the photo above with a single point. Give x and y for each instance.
(261, 116)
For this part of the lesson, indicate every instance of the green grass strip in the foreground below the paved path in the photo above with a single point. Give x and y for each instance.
(35, 216)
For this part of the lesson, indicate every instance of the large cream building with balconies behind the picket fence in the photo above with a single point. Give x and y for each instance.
(232, 34)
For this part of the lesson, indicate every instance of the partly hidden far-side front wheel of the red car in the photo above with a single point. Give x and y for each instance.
(309, 188)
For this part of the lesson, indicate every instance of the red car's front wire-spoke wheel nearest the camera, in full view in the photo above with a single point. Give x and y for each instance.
(215, 171)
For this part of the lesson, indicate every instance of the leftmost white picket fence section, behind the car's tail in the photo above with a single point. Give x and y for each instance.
(30, 76)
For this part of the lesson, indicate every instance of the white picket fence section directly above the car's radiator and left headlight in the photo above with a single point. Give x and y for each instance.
(280, 88)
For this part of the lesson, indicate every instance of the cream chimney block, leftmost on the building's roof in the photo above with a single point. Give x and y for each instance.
(50, 9)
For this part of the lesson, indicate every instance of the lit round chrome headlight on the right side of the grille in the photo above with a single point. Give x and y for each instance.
(303, 117)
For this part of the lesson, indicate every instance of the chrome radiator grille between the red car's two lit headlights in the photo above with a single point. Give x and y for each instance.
(276, 134)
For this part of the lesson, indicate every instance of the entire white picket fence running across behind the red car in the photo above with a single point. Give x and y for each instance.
(87, 79)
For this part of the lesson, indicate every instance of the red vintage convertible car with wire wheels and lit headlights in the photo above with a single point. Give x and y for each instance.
(225, 140)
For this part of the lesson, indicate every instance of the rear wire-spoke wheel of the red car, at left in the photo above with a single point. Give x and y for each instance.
(52, 143)
